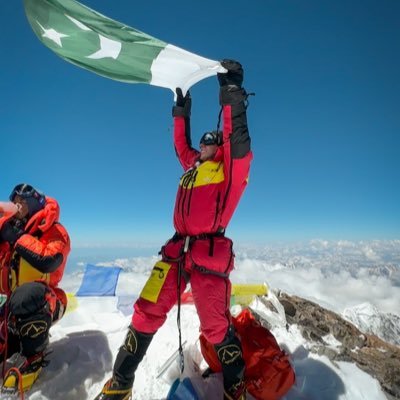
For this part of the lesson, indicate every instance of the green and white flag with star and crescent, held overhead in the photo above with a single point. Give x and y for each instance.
(114, 50)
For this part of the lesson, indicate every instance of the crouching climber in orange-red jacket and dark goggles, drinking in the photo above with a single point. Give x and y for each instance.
(34, 248)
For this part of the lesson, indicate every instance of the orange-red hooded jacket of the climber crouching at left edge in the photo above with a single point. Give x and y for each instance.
(39, 254)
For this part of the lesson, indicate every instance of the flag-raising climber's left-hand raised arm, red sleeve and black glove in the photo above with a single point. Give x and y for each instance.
(182, 141)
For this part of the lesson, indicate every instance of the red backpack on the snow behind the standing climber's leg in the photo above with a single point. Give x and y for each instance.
(269, 374)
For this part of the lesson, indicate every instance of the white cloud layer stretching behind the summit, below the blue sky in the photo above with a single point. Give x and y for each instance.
(337, 275)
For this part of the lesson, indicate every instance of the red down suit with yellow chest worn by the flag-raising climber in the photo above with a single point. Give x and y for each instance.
(207, 196)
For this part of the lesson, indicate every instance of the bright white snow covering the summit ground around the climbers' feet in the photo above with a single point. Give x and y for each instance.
(84, 345)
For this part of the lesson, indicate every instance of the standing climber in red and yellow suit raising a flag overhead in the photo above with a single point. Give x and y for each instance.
(199, 252)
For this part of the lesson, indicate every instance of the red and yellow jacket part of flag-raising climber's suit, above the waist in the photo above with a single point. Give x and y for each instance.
(209, 191)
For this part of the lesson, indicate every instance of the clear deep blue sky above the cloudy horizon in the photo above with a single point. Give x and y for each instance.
(325, 121)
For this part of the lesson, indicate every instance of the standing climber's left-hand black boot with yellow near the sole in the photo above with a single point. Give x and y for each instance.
(131, 353)
